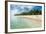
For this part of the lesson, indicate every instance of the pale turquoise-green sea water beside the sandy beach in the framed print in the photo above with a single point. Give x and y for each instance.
(20, 23)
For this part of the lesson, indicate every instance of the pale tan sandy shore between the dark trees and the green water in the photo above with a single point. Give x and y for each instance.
(36, 19)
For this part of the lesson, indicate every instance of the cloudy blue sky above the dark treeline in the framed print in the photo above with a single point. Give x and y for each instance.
(16, 9)
